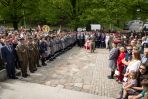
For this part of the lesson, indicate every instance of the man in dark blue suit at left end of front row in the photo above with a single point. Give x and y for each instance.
(8, 58)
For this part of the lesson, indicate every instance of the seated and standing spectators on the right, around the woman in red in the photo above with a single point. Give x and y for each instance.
(128, 61)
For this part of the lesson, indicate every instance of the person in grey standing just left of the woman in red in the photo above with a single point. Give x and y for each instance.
(113, 59)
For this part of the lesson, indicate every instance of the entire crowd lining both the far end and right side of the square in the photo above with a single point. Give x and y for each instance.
(128, 59)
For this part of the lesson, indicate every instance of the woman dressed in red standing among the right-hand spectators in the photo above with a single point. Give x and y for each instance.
(120, 65)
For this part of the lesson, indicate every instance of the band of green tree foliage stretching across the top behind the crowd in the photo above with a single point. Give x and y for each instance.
(75, 13)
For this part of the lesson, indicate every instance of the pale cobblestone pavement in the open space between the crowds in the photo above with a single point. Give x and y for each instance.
(78, 70)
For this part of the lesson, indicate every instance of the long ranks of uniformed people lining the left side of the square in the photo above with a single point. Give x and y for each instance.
(29, 50)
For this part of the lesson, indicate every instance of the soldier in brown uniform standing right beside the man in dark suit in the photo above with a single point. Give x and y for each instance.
(22, 53)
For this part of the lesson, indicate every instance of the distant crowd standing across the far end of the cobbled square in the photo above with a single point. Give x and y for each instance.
(96, 39)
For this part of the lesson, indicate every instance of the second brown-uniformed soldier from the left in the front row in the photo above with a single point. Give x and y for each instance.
(31, 55)
